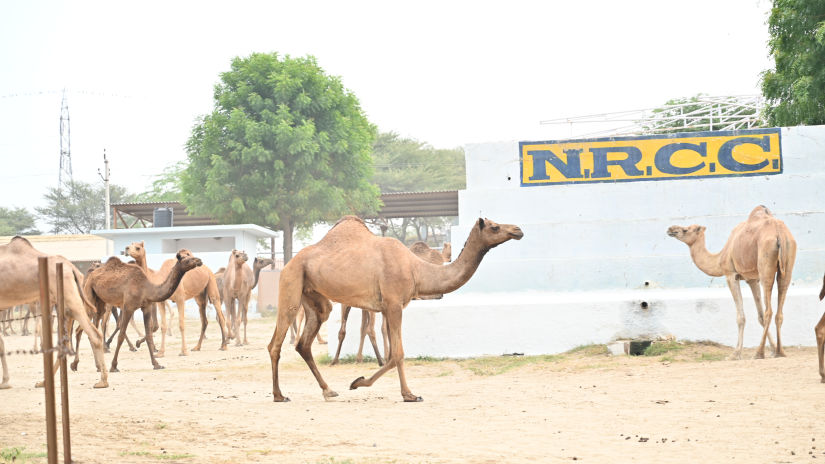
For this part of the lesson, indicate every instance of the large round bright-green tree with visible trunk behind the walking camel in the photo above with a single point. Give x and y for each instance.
(285, 146)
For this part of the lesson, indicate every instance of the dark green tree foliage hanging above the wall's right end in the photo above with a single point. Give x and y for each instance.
(795, 88)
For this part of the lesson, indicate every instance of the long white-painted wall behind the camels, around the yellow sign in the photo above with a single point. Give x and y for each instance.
(578, 276)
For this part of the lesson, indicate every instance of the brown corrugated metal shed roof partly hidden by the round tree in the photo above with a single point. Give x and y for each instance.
(396, 205)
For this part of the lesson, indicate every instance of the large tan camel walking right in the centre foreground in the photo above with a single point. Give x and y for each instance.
(352, 266)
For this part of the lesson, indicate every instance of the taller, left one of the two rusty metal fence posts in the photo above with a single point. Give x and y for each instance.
(46, 346)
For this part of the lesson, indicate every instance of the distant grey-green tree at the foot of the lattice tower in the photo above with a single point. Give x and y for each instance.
(80, 207)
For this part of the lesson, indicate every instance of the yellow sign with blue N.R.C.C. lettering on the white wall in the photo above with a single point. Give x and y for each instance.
(658, 157)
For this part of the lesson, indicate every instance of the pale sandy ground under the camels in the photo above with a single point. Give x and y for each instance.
(216, 407)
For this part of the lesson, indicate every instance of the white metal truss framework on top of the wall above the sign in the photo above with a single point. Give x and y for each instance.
(697, 113)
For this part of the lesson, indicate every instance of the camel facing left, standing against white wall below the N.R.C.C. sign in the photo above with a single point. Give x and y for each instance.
(758, 251)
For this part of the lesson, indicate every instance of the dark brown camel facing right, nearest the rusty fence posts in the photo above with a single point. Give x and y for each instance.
(128, 287)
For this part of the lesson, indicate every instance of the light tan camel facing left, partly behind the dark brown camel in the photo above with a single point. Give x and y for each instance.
(199, 283)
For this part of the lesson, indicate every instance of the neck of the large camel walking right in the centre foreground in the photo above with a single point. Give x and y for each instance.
(434, 279)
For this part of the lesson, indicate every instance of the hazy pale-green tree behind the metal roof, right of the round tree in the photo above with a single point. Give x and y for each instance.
(407, 165)
